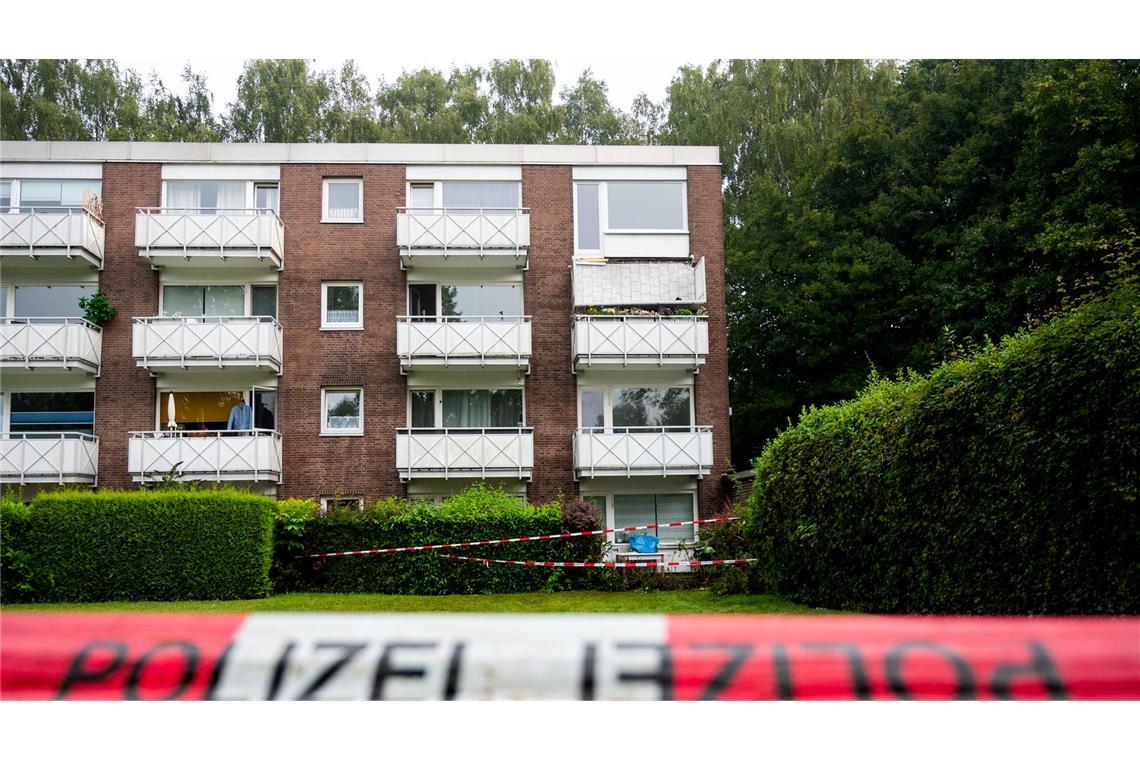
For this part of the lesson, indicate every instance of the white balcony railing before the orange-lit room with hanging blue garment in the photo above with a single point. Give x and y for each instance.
(254, 455)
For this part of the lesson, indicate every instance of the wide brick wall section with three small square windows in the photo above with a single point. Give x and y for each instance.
(315, 252)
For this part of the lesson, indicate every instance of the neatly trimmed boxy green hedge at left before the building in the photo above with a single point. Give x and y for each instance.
(150, 545)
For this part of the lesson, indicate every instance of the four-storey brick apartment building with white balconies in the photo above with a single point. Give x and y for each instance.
(352, 322)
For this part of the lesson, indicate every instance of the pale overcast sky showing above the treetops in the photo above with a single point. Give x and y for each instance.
(625, 77)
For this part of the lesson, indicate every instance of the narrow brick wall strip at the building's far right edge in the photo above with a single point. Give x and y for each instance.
(706, 240)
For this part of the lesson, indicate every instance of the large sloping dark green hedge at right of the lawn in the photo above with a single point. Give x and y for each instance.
(1003, 484)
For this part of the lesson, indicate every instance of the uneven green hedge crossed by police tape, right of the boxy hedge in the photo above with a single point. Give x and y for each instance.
(478, 513)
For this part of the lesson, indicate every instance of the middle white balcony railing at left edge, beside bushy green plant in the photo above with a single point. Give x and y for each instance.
(51, 344)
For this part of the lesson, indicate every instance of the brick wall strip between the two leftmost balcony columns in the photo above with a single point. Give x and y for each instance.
(125, 395)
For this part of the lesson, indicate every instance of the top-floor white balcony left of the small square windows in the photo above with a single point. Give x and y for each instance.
(180, 238)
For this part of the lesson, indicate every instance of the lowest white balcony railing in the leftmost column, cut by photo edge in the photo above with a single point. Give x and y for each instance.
(50, 459)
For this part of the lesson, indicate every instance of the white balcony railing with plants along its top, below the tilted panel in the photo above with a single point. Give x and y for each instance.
(646, 341)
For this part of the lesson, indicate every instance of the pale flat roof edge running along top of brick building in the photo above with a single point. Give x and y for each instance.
(359, 153)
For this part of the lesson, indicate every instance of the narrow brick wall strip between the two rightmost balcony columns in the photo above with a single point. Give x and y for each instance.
(552, 406)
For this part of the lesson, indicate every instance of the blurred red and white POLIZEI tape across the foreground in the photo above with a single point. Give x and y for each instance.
(470, 657)
